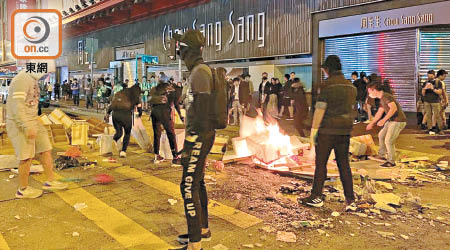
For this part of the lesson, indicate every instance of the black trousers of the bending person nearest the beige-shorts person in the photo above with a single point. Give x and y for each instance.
(122, 120)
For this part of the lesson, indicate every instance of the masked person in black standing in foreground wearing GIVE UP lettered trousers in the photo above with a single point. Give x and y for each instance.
(200, 135)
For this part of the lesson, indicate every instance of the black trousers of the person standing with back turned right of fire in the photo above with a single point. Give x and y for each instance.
(340, 144)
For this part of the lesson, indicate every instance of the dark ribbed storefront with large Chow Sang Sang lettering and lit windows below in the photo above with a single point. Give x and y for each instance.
(243, 36)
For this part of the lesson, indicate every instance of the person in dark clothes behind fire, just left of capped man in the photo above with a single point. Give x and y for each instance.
(301, 106)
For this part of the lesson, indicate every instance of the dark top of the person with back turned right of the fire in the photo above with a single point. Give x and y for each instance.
(340, 98)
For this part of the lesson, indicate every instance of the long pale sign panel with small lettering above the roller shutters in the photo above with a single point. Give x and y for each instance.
(416, 16)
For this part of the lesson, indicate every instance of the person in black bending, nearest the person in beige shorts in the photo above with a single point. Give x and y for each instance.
(123, 118)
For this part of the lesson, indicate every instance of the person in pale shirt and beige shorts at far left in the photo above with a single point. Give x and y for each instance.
(26, 132)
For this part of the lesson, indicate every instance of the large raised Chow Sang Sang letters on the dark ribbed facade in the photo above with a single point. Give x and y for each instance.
(244, 29)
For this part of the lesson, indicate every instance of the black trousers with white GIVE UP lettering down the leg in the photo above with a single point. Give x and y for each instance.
(193, 189)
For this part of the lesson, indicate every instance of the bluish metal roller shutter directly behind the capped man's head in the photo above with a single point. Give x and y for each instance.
(391, 55)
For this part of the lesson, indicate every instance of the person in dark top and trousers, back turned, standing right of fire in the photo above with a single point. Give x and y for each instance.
(332, 125)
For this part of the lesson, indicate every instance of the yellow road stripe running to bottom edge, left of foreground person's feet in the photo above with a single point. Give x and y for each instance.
(127, 232)
